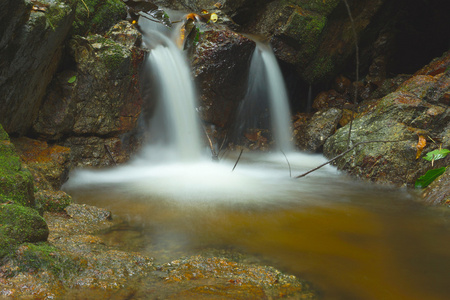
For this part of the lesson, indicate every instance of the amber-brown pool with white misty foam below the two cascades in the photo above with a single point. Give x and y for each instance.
(349, 239)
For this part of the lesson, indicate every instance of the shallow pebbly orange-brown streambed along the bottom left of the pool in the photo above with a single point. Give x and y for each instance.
(76, 263)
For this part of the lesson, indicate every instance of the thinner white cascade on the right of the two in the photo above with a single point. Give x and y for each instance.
(267, 99)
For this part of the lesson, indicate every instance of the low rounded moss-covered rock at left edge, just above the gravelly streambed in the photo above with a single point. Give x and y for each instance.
(19, 224)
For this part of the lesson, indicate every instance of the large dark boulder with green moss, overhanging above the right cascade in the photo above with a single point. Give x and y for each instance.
(316, 37)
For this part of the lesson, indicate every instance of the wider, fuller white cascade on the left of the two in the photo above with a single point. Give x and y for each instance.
(175, 127)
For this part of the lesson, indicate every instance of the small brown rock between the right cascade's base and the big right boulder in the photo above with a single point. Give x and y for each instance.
(322, 125)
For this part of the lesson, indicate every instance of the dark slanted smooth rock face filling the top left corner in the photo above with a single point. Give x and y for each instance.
(30, 50)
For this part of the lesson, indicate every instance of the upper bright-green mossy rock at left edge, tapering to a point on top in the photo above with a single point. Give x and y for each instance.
(16, 183)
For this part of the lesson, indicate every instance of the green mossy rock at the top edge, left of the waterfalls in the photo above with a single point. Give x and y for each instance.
(101, 16)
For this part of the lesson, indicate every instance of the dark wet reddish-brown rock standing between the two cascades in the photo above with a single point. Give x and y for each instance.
(220, 64)
